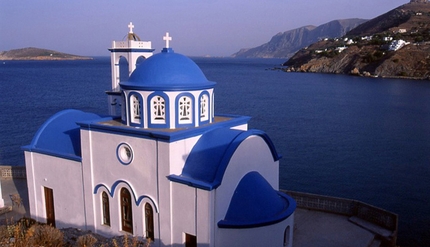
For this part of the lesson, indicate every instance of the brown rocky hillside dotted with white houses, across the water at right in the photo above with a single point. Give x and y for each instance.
(395, 44)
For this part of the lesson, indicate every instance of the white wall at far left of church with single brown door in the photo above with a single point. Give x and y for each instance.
(64, 177)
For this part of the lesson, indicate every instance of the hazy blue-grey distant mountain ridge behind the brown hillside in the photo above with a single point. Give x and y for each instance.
(284, 45)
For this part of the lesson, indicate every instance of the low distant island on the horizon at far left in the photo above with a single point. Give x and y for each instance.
(31, 53)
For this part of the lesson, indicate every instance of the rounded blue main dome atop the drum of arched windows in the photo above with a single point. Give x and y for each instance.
(167, 71)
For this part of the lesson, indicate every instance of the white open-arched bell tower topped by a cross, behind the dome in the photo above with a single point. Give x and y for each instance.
(131, 49)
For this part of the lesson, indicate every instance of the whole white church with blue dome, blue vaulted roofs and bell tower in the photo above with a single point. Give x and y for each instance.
(162, 165)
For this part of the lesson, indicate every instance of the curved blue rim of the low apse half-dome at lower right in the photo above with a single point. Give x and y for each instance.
(269, 221)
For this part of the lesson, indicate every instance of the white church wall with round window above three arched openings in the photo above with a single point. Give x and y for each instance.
(105, 172)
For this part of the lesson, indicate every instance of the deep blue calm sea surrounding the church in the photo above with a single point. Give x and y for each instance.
(366, 139)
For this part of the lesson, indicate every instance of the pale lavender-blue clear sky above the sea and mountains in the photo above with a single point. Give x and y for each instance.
(197, 27)
